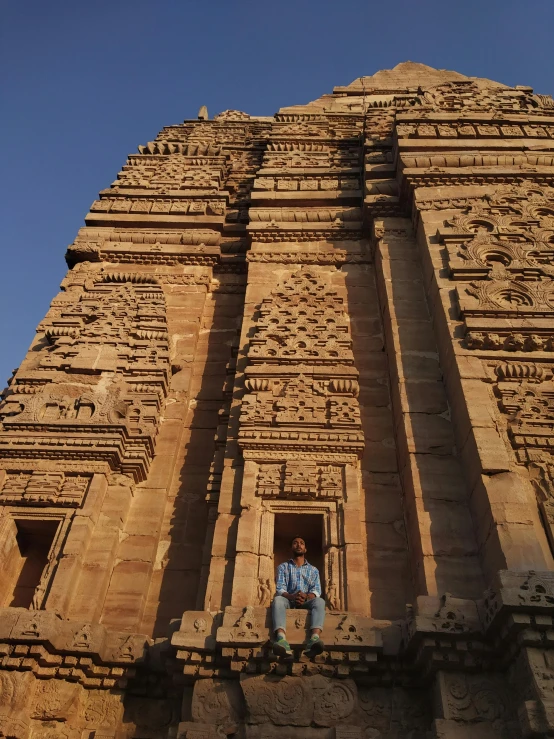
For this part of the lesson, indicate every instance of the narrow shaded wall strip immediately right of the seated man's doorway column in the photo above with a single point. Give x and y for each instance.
(382, 506)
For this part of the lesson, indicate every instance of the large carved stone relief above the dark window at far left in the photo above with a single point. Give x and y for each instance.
(103, 363)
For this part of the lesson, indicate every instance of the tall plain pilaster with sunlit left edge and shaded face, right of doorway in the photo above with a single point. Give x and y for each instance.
(444, 554)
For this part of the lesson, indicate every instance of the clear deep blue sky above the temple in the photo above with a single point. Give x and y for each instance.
(84, 82)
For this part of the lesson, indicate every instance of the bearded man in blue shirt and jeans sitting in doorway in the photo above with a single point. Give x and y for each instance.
(298, 586)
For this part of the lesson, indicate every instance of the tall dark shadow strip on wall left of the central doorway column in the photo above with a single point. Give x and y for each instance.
(192, 520)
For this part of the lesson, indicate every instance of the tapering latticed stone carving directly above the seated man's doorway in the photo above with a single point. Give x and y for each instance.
(304, 330)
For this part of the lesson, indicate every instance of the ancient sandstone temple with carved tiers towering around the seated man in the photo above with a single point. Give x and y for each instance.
(335, 322)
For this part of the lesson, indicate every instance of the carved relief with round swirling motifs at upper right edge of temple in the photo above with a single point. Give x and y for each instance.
(504, 244)
